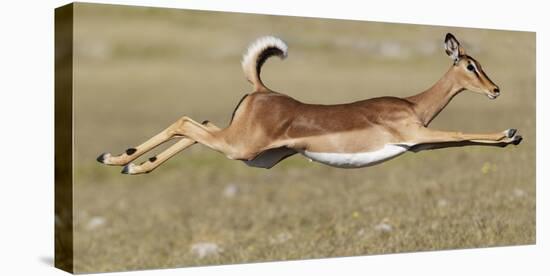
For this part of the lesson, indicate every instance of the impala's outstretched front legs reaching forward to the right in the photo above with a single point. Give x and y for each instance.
(434, 139)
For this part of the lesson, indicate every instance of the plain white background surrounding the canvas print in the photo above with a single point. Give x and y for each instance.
(26, 87)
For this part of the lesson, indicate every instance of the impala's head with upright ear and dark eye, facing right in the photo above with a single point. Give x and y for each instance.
(468, 71)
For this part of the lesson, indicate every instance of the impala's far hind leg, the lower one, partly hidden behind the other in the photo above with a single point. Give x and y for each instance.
(155, 161)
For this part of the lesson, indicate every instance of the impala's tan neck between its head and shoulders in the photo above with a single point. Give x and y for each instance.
(429, 103)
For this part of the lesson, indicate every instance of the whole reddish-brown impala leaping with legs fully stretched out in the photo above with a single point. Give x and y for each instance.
(267, 126)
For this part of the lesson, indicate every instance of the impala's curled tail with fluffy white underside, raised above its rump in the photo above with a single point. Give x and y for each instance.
(257, 53)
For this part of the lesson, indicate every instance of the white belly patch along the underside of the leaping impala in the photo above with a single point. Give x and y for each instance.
(358, 160)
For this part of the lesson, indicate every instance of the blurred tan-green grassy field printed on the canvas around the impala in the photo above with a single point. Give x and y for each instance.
(139, 69)
